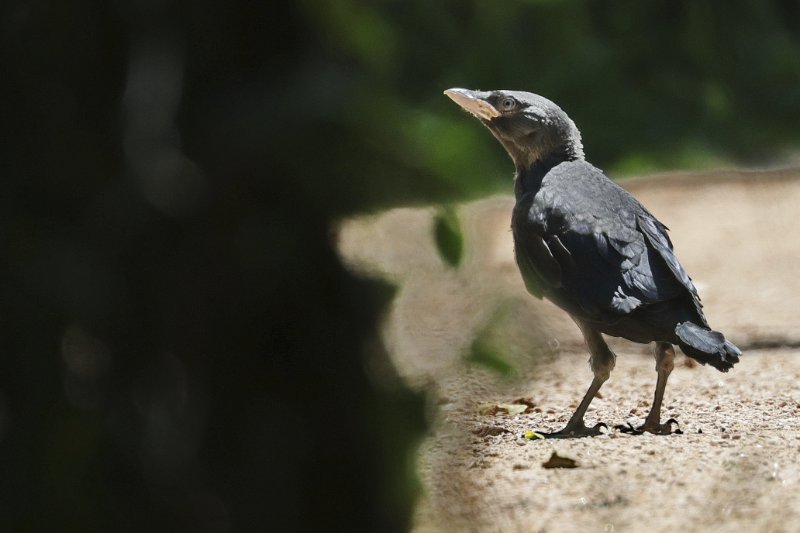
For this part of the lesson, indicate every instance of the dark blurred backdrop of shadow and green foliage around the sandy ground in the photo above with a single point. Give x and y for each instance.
(181, 349)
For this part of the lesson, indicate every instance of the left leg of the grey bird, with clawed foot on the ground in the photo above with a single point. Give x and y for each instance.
(602, 360)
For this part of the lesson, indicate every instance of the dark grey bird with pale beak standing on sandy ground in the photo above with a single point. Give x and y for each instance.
(588, 246)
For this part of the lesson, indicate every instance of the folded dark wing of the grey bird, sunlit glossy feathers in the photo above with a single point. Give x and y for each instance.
(619, 256)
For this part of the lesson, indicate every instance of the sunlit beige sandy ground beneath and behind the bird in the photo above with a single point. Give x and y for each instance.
(734, 467)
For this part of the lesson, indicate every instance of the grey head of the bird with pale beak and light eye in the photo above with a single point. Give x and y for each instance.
(530, 127)
